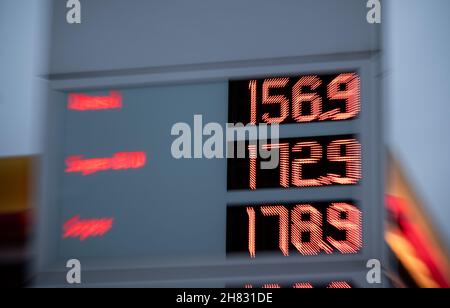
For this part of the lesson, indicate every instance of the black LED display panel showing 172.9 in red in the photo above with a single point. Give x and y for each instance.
(303, 162)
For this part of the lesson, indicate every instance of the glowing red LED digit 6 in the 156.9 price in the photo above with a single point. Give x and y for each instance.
(298, 98)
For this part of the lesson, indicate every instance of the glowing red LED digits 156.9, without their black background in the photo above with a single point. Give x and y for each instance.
(345, 87)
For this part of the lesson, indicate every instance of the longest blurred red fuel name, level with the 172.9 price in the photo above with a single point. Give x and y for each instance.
(120, 161)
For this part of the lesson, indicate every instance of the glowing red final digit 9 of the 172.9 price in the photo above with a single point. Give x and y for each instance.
(352, 158)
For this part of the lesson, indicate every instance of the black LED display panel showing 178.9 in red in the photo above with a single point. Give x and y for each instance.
(303, 229)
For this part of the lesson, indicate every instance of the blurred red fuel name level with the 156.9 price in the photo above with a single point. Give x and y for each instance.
(84, 102)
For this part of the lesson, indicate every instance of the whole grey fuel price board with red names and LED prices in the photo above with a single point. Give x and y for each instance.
(116, 194)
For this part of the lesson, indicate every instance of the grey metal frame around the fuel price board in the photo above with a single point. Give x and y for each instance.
(369, 193)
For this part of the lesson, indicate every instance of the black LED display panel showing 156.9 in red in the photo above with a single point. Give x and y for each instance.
(300, 99)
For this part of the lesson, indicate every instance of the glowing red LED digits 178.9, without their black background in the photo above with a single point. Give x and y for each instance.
(306, 220)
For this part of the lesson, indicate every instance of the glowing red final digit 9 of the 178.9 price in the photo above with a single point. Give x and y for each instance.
(351, 224)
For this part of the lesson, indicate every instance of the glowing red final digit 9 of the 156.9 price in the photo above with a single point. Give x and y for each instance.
(351, 95)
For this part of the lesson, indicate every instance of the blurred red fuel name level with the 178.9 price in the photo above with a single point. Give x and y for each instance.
(84, 229)
